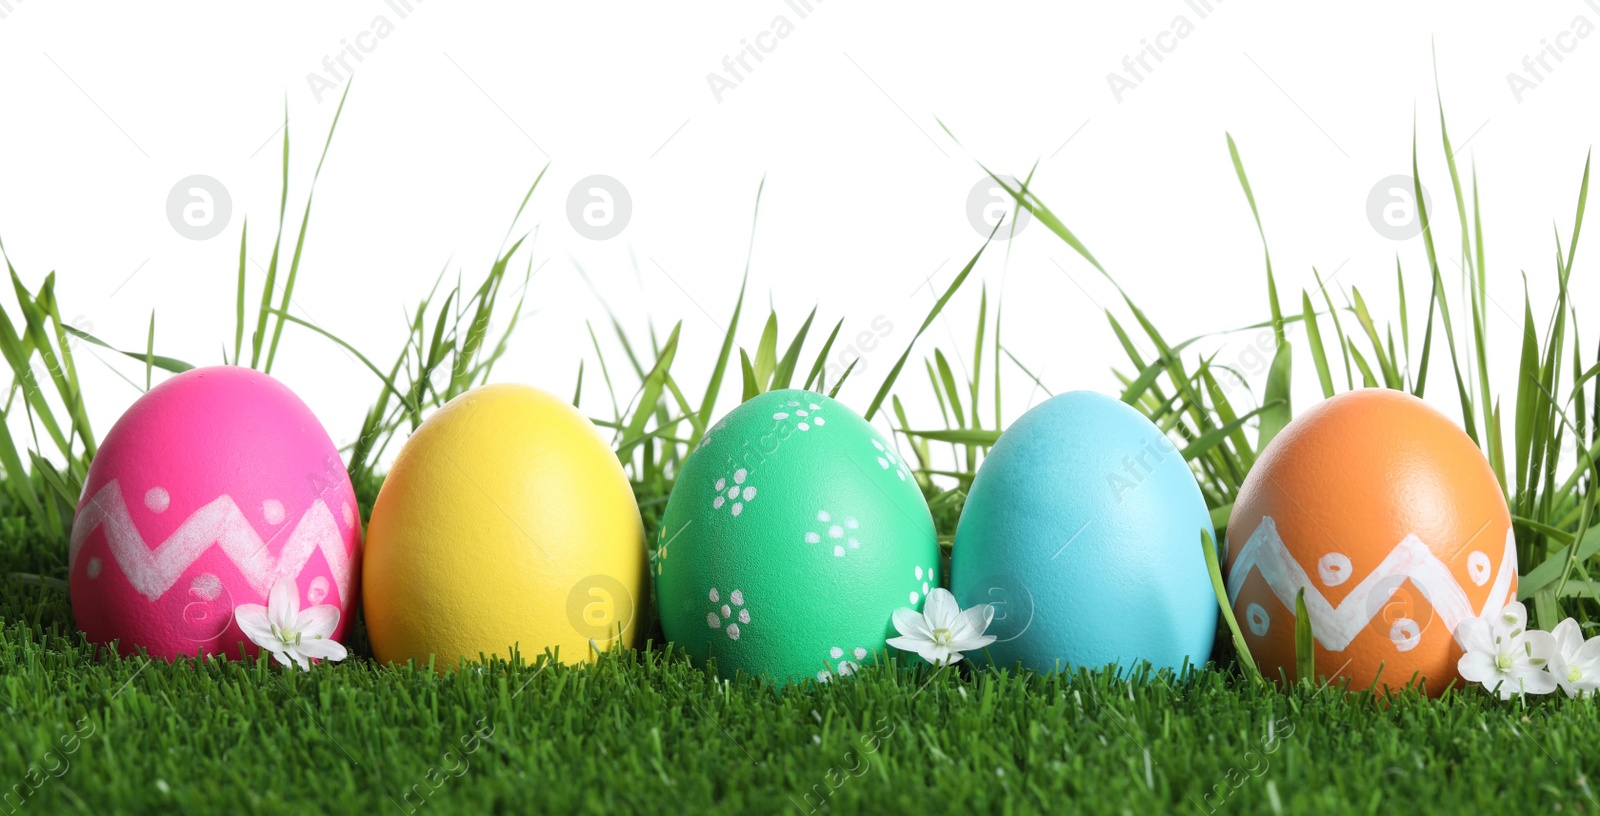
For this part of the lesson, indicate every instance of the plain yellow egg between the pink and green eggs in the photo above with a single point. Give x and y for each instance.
(505, 522)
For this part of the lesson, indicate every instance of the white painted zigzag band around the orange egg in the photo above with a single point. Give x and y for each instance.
(1337, 626)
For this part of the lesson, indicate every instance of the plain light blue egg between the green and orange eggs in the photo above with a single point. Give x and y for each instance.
(1084, 530)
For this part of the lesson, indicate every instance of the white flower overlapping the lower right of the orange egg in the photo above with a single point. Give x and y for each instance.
(1505, 657)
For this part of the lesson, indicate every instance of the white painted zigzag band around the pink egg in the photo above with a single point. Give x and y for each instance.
(218, 524)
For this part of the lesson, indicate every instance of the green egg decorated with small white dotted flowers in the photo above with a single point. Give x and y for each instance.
(791, 537)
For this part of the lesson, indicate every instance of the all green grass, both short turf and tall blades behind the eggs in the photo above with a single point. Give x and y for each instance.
(646, 730)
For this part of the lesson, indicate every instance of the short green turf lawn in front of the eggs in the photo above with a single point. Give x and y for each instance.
(647, 732)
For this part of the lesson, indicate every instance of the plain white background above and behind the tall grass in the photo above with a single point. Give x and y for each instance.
(865, 214)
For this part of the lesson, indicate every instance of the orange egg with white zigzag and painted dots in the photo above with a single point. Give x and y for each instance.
(1391, 521)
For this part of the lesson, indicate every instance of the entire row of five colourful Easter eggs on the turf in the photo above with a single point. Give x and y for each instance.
(793, 535)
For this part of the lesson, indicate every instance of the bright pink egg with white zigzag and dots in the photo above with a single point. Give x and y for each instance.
(215, 486)
